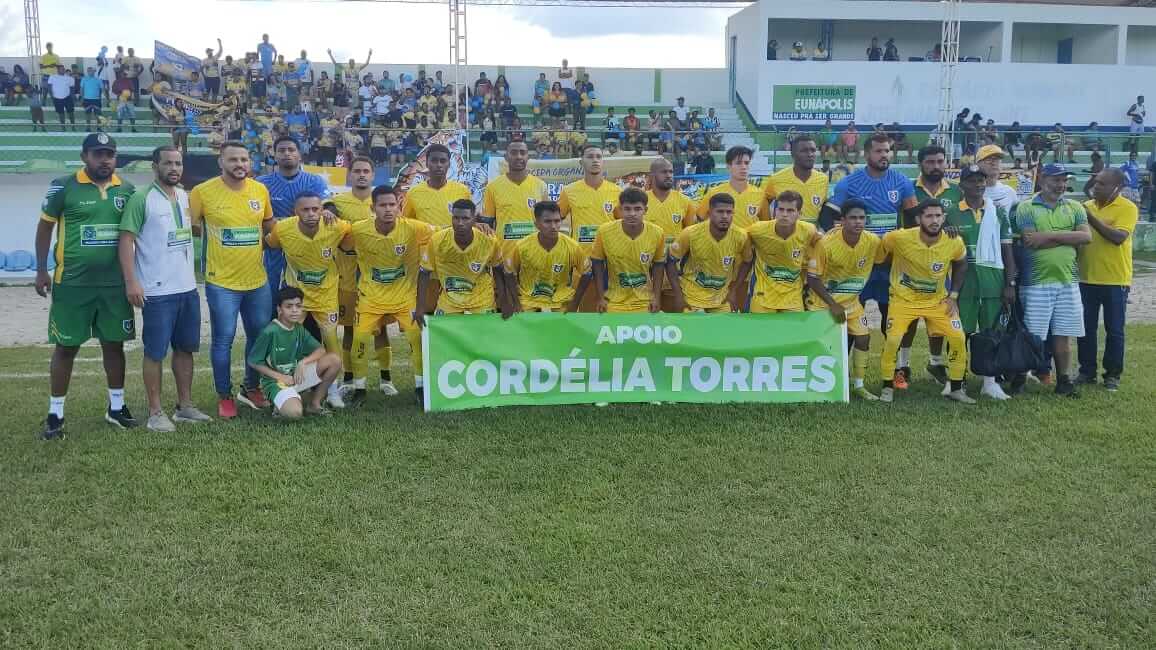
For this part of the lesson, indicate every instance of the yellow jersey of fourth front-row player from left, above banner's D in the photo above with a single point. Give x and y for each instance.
(547, 279)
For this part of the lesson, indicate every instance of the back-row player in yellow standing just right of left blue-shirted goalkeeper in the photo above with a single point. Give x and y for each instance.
(354, 206)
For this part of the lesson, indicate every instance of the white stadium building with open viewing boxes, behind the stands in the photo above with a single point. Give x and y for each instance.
(1034, 63)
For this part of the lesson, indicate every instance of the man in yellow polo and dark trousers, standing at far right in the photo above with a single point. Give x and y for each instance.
(1106, 276)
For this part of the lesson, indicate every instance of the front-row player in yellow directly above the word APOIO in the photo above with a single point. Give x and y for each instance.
(633, 253)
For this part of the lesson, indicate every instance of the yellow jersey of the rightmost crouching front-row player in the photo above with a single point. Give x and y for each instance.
(920, 272)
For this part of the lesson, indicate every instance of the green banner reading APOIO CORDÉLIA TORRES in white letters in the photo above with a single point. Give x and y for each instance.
(477, 361)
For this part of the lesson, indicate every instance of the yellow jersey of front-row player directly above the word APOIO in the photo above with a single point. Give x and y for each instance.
(628, 264)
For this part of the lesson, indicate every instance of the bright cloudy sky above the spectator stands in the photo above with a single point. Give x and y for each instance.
(538, 36)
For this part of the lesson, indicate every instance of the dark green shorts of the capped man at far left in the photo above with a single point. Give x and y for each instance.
(79, 314)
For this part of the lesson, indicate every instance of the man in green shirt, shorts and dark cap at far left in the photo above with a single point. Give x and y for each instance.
(84, 211)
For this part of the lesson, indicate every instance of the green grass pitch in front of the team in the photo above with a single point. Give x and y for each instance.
(1027, 525)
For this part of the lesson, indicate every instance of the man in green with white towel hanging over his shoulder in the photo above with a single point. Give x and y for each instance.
(991, 264)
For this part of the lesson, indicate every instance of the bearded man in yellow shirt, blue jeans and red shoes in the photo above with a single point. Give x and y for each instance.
(234, 213)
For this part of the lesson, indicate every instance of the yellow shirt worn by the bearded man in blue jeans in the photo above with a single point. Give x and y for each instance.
(233, 219)
